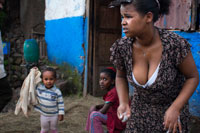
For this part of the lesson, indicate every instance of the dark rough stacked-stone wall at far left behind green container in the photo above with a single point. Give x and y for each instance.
(14, 60)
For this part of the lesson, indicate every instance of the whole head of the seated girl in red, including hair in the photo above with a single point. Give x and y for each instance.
(107, 78)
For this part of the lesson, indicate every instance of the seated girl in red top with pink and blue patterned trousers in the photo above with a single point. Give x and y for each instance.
(106, 114)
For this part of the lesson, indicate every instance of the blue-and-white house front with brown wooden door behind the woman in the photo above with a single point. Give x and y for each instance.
(80, 33)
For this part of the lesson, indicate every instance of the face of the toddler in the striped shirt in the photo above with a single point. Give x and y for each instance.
(48, 79)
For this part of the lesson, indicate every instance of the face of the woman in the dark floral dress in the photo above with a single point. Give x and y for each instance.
(133, 23)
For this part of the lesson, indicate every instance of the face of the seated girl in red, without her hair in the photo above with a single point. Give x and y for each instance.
(105, 81)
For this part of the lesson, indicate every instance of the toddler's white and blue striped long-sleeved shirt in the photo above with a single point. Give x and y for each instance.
(50, 101)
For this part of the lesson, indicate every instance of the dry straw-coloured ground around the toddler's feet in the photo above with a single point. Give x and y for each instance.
(76, 109)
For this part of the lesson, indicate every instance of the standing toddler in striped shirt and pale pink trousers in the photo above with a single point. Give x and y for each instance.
(51, 105)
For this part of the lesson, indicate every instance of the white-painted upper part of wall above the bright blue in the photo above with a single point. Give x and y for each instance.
(57, 9)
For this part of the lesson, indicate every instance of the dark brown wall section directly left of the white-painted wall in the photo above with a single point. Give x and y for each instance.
(32, 16)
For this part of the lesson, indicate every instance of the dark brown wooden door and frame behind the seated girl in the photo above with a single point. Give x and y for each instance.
(105, 29)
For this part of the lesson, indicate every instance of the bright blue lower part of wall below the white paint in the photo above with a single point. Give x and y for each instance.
(64, 39)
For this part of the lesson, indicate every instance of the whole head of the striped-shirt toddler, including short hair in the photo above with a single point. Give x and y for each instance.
(49, 77)
